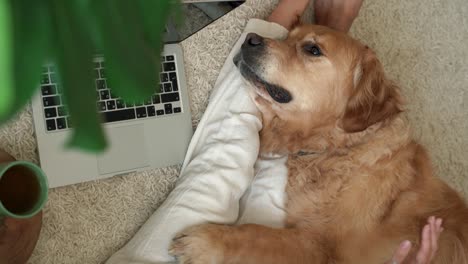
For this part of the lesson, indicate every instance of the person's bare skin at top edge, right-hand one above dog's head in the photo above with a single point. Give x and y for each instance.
(337, 14)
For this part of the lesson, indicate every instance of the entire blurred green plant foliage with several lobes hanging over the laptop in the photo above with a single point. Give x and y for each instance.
(69, 34)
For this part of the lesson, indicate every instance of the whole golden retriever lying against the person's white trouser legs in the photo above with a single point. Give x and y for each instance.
(358, 183)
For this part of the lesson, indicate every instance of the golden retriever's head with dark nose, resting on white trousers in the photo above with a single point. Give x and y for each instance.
(316, 78)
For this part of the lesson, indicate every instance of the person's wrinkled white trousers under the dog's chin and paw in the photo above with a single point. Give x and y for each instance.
(218, 169)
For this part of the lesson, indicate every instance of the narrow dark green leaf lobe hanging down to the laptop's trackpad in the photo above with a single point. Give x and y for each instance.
(74, 52)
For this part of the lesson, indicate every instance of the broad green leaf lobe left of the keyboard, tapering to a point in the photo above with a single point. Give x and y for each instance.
(31, 25)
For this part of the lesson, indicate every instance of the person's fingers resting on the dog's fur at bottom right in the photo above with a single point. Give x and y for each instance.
(429, 238)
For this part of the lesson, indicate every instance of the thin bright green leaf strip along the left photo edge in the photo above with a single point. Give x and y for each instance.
(6, 60)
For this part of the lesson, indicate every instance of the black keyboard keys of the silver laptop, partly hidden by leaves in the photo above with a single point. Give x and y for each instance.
(110, 105)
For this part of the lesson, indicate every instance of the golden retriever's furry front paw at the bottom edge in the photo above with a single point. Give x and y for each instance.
(199, 245)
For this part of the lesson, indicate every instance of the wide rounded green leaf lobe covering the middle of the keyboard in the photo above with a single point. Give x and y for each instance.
(131, 48)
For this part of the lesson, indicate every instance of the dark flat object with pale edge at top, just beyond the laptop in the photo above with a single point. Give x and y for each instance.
(196, 15)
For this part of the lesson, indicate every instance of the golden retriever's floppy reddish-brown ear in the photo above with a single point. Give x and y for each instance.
(373, 99)
